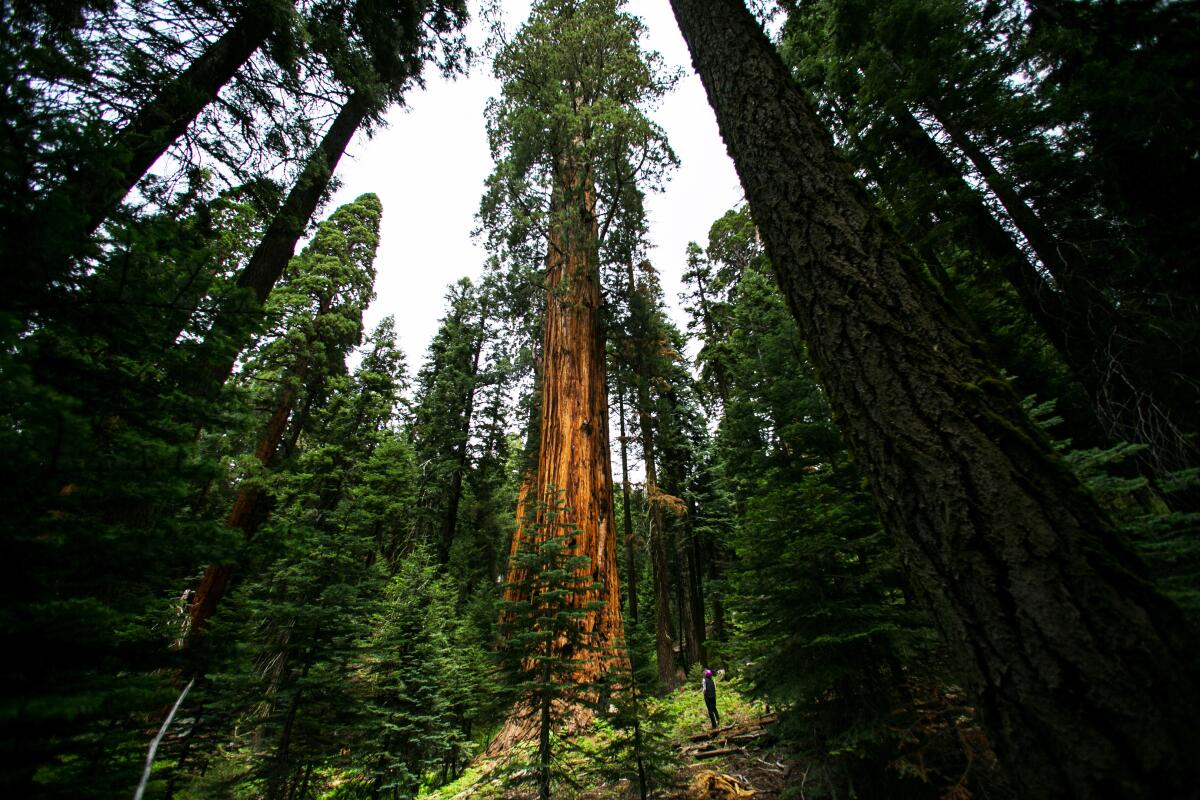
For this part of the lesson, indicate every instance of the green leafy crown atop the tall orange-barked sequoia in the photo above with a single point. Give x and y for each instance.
(577, 94)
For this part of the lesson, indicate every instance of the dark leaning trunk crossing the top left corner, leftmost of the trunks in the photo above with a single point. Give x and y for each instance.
(71, 214)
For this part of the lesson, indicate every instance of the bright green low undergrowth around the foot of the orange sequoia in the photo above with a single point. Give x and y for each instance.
(578, 757)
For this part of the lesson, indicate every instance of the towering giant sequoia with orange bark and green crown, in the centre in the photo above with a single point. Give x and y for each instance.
(572, 147)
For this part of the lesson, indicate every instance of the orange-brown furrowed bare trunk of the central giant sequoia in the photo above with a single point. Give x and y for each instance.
(574, 471)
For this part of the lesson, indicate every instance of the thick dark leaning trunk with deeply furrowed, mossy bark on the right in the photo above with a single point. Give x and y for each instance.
(1085, 677)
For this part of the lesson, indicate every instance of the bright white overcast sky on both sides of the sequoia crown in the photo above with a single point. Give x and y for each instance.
(429, 166)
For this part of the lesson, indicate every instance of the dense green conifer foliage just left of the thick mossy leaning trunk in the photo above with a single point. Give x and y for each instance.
(823, 625)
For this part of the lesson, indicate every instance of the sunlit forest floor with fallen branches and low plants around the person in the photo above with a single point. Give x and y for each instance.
(739, 761)
